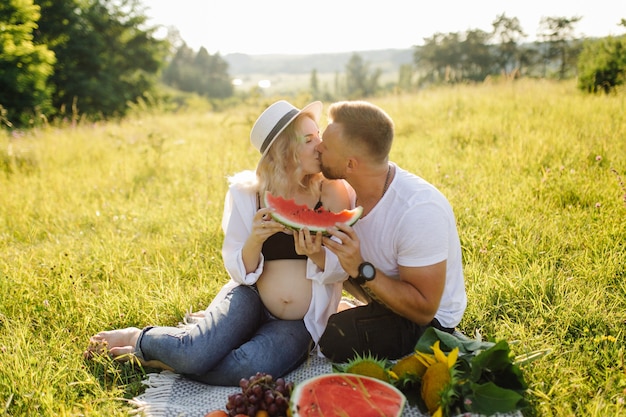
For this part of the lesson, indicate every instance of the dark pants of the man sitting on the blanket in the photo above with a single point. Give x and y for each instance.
(371, 329)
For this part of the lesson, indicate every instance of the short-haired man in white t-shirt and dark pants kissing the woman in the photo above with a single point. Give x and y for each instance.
(403, 256)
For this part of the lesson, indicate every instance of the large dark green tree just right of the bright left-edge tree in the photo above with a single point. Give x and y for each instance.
(107, 57)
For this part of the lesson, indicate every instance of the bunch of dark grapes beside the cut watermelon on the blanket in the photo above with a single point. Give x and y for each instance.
(260, 392)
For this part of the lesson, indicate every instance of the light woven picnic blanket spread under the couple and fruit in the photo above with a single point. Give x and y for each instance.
(171, 395)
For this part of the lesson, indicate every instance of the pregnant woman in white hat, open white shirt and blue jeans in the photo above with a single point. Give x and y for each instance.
(283, 285)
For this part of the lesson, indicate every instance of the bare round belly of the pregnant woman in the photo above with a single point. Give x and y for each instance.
(285, 291)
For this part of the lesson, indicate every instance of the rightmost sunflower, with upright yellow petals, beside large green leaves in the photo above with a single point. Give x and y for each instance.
(439, 379)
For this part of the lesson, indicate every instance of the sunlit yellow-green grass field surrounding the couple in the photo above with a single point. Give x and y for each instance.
(118, 224)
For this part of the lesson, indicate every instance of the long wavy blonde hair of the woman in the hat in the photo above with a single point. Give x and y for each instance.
(280, 166)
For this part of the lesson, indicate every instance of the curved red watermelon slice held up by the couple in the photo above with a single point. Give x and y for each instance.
(298, 216)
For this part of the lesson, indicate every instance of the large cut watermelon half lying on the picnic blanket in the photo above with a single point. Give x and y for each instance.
(346, 395)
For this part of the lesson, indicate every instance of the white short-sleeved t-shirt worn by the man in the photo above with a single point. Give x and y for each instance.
(414, 225)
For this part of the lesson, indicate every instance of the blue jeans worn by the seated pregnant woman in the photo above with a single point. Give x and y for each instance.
(236, 339)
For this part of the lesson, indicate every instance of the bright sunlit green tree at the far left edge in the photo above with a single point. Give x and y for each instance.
(24, 66)
